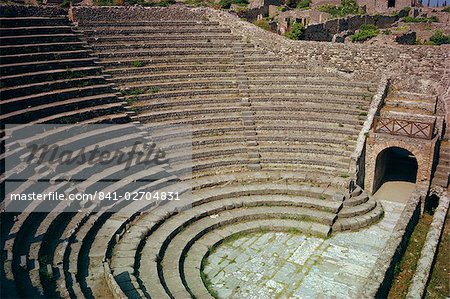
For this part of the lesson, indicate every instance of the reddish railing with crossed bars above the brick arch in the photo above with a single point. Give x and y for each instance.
(409, 128)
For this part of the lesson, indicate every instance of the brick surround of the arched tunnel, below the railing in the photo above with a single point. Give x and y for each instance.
(421, 152)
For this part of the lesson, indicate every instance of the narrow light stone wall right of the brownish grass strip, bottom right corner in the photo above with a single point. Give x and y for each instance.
(420, 279)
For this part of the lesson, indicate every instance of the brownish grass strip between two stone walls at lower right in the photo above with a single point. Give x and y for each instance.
(405, 269)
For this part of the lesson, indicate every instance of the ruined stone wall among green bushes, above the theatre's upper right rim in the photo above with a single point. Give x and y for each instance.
(326, 30)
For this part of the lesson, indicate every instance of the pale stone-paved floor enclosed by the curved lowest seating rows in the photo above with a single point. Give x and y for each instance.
(289, 265)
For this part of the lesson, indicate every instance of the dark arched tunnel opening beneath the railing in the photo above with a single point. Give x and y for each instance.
(394, 164)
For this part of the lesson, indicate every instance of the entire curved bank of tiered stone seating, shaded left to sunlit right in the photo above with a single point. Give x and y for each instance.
(252, 115)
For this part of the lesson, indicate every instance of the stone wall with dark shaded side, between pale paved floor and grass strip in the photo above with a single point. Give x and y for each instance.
(378, 284)
